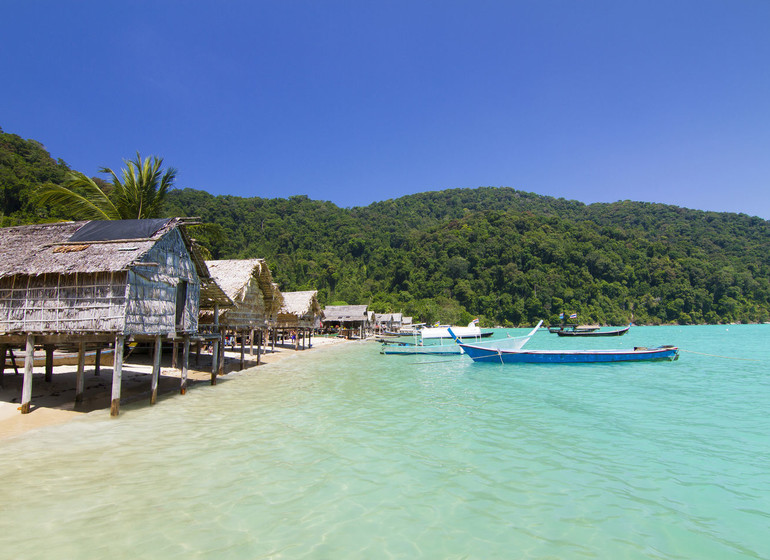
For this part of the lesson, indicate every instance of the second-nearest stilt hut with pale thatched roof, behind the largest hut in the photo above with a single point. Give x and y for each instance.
(257, 301)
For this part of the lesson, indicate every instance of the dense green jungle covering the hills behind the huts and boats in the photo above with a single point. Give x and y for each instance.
(506, 256)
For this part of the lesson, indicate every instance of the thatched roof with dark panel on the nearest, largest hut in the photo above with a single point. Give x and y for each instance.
(49, 249)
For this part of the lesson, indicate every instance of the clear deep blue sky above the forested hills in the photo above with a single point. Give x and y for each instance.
(359, 101)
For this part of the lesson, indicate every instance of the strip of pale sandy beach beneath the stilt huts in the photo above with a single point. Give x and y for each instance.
(53, 402)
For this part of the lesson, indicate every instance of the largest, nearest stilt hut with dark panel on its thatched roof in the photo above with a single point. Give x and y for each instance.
(100, 283)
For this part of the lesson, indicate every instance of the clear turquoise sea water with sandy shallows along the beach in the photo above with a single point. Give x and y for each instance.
(345, 453)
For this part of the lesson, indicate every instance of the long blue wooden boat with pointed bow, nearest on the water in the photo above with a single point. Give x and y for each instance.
(499, 355)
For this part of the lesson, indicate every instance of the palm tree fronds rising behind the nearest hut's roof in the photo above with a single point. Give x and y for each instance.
(140, 193)
